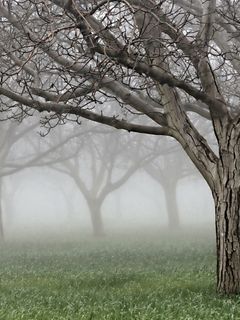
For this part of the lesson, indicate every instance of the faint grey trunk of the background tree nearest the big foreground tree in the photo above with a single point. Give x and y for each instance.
(170, 190)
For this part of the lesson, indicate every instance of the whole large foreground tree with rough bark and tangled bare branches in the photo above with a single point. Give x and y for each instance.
(159, 60)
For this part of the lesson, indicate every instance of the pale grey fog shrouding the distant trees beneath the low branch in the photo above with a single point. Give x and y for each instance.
(40, 198)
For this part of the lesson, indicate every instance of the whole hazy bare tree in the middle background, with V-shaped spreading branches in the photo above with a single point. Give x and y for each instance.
(106, 161)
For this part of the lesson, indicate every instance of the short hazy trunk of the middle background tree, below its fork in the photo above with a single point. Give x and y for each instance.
(96, 218)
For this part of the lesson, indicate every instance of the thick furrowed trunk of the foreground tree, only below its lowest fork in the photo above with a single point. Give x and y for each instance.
(227, 206)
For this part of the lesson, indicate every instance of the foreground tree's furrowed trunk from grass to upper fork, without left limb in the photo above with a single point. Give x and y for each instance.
(227, 205)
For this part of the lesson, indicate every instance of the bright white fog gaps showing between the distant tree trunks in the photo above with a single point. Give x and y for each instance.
(40, 204)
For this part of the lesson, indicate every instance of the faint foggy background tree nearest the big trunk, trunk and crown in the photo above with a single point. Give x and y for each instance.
(172, 166)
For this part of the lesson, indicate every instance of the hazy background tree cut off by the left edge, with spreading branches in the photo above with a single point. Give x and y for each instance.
(23, 148)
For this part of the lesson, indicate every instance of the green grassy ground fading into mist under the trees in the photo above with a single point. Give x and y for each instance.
(145, 277)
